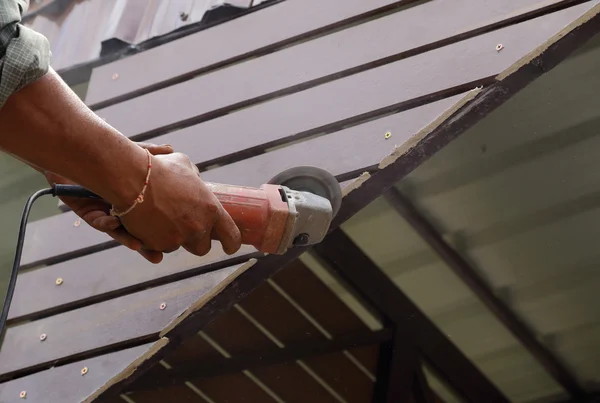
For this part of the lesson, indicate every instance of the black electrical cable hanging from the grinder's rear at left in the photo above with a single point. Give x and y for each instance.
(56, 190)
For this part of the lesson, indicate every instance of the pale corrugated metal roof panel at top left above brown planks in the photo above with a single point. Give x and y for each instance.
(77, 30)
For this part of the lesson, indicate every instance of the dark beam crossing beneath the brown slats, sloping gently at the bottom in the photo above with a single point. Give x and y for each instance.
(262, 358)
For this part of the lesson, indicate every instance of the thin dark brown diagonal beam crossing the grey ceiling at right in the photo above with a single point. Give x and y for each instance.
(477, 284)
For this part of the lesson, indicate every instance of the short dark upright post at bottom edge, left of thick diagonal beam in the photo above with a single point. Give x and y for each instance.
(398, 361)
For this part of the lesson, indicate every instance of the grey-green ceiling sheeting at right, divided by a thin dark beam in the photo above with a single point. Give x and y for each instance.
(518, 196)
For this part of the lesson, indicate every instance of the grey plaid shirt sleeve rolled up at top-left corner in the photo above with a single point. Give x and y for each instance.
(24, 53)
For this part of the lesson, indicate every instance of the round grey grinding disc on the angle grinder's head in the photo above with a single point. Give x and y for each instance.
(314, 180)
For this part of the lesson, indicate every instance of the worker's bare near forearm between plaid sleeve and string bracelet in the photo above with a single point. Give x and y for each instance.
(49, 127)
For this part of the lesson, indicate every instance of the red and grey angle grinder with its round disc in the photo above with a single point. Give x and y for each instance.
(295, 208)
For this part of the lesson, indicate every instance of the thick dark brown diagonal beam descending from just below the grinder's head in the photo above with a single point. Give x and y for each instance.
(345, 258)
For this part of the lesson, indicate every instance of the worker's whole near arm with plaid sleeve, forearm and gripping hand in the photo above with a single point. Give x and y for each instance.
(44, 123)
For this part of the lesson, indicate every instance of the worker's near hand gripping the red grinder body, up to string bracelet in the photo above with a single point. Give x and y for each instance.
(179, 210)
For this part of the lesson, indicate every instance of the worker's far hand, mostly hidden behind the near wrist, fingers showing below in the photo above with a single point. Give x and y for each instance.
(95, 212)
